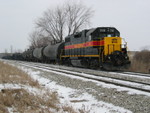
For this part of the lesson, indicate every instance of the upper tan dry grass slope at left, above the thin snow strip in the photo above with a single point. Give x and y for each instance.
(10, 74)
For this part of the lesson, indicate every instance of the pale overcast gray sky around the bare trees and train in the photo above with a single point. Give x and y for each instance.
(130, 17)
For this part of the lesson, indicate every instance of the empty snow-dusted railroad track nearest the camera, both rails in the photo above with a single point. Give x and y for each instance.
(137, 85)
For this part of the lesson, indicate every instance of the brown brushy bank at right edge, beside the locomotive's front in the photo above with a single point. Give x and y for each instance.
(140, 62)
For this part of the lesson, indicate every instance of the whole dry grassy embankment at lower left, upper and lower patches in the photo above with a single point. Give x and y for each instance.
(23, 101)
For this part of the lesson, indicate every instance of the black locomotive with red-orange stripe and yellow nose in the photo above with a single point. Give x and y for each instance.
(100, 47)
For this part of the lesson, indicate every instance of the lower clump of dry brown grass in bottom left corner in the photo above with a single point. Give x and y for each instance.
(24, 101)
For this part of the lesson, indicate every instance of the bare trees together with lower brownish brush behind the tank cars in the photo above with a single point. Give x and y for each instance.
(59, 22)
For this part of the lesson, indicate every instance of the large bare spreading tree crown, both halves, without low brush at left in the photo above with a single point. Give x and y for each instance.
(64, 20)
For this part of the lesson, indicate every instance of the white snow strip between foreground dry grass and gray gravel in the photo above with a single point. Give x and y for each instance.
(80, 101)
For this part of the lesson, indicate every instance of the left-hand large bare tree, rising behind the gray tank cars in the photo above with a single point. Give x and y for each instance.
(52, 23)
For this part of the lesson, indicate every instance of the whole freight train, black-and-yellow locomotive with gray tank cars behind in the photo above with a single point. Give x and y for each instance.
(100, 47)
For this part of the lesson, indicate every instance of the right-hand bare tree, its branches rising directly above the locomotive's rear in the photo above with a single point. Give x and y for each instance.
(78, 16)
